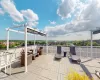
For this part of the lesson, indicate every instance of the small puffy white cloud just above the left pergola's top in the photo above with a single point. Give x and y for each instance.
(29, 15)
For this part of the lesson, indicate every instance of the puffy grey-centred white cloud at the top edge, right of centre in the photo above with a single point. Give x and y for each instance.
(69, 7)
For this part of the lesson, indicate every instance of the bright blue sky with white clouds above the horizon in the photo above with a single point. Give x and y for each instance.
(60, 19)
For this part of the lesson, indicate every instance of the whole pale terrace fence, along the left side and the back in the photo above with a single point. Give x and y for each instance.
(82, 51)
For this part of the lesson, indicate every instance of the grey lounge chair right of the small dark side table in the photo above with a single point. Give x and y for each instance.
(73, 55)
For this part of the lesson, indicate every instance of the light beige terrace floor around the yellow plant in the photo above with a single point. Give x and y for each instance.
(46, 68)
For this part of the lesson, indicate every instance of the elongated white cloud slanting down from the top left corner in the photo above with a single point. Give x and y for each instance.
(10, 8)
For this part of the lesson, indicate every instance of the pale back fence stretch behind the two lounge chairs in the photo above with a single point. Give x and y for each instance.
(82, 51)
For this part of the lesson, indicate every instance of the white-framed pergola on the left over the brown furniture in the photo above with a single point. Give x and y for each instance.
(26, 30)
